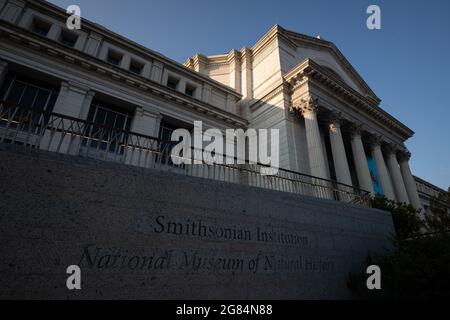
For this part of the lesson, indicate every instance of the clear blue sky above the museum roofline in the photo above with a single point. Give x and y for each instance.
(406, 63)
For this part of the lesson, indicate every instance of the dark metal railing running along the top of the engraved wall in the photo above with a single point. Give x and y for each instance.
(54, 132)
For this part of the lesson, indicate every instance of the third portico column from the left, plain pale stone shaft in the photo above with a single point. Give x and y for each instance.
(360, 160)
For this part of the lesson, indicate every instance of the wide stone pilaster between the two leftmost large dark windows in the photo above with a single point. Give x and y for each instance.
(74, 101)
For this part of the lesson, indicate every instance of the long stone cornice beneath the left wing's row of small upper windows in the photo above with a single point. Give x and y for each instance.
(31, 41)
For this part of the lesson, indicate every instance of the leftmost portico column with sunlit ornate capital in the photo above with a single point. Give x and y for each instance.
(316, 153)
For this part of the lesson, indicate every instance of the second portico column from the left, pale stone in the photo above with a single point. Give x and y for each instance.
(338, 150)
